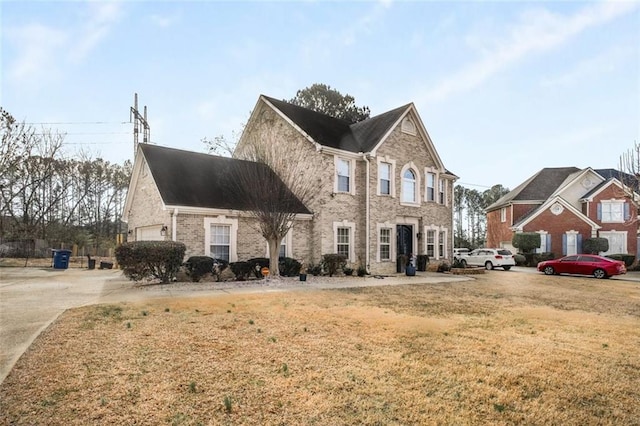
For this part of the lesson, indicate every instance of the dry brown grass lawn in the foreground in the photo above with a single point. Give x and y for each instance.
(506, 348)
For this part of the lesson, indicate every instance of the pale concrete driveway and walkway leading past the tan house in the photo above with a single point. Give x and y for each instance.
(32, 298)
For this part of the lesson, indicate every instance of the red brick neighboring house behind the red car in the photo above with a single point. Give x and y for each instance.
(566, 206)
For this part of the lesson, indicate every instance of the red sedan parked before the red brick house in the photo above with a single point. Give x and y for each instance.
(583, 264)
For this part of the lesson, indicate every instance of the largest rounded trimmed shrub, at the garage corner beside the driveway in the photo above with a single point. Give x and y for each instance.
(150, 259)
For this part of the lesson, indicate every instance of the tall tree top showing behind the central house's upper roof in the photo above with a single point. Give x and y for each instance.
(324, 99)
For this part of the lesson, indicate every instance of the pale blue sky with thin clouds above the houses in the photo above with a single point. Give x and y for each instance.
(503, 88)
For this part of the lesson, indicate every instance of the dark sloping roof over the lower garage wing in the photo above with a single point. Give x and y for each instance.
(192, 179)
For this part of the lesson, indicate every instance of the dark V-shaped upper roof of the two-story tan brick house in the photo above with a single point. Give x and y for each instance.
(336, 133)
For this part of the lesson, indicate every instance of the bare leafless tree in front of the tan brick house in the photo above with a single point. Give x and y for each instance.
(278, 190)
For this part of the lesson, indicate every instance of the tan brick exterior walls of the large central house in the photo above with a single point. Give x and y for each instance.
(313, 238)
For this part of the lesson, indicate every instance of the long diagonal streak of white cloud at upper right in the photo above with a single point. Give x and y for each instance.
(537, 31)
